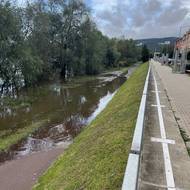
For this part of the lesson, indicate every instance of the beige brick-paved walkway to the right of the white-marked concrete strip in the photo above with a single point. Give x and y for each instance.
(178, 90)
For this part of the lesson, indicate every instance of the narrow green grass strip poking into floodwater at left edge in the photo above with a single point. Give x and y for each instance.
(9, 137)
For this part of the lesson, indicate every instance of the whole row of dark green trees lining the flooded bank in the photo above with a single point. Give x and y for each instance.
(47, 39)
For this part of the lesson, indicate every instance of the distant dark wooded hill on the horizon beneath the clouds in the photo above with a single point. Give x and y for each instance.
(155, 43)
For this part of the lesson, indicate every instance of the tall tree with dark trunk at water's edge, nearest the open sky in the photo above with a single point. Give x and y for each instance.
(69, 19)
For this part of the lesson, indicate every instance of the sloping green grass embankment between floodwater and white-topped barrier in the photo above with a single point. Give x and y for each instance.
(97, 158)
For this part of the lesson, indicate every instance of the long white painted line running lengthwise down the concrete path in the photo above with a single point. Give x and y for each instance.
(166, 154)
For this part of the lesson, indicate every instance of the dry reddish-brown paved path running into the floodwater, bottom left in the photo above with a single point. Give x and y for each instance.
(22, 174)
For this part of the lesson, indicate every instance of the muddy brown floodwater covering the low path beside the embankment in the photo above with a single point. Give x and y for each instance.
(66, 108)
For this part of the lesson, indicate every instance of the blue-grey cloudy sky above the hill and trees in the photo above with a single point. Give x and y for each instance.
(141, 18)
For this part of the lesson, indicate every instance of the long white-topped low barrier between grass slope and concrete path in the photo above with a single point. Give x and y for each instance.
(130, 181)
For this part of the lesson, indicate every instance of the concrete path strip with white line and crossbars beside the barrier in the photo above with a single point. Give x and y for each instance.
(165, 163)
